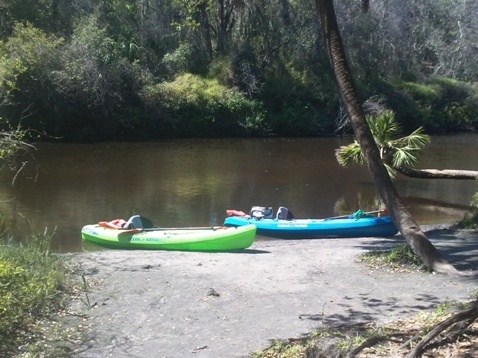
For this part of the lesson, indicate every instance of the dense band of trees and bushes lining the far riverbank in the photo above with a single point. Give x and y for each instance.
(128, 69)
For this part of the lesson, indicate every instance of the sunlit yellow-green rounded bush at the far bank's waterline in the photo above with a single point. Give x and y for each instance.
(199, 107)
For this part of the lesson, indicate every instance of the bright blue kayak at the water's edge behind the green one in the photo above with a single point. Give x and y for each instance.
(349, 226)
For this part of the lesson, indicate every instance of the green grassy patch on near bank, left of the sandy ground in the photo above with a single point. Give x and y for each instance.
(34, 287)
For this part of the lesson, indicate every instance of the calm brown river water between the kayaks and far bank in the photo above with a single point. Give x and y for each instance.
(193, 182)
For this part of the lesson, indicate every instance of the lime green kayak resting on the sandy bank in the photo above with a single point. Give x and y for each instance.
(184, 239)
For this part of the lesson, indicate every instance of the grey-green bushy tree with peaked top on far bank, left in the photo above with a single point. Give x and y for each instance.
(92, 85)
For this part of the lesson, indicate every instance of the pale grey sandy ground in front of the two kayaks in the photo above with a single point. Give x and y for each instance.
(186, 304)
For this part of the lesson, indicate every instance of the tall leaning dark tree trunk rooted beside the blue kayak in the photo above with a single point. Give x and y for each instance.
(412, 233)
